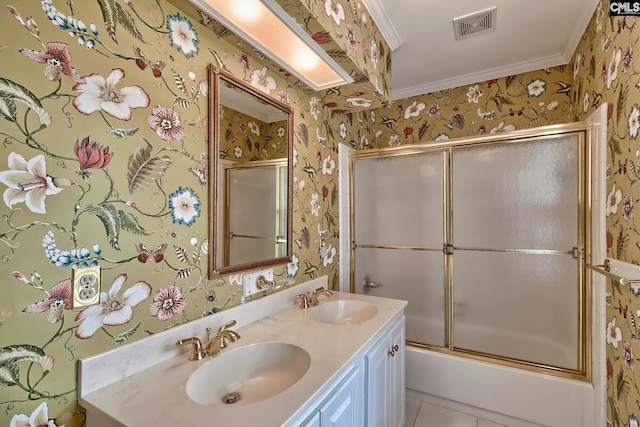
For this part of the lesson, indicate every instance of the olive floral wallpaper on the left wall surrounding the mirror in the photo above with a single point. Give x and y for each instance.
(103, 123)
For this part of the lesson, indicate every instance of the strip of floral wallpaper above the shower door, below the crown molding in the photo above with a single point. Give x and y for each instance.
(500, 105)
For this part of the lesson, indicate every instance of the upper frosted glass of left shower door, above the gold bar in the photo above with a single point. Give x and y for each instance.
(398, 201)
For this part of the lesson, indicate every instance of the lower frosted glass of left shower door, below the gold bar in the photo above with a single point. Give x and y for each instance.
(414, 276)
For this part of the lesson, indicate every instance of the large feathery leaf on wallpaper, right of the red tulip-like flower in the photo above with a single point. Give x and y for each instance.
(143, 168)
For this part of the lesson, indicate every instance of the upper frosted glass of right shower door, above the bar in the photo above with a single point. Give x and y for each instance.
(520, 195)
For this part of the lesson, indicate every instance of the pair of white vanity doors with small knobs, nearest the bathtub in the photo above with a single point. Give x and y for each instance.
(384, 383)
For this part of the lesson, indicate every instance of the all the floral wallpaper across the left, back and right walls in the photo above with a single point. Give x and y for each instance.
(103, 118)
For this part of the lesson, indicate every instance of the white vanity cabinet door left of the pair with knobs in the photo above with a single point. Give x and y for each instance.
(345, 407)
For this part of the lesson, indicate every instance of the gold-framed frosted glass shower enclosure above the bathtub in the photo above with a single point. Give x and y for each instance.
(486, 239)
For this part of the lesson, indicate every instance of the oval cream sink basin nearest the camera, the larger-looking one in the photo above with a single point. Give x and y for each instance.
(248, 374)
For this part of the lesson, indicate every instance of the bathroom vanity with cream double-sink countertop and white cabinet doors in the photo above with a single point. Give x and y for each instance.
(339, 363)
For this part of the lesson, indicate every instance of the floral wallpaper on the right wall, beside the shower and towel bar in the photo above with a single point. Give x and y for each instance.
(605, 69)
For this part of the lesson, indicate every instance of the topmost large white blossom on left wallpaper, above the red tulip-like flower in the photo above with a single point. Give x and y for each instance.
(99, 93)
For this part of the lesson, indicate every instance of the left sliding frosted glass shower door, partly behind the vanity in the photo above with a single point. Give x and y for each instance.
(399, 230)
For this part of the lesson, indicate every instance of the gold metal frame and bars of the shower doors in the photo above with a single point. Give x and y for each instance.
(581, 253)
